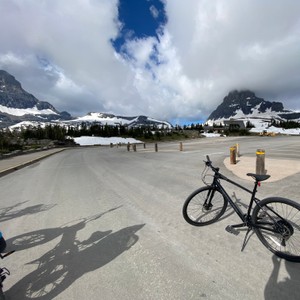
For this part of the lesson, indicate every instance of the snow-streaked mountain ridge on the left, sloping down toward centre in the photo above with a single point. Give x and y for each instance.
(18, 108)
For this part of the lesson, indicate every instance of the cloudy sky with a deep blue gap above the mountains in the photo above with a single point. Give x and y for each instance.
(169, 59)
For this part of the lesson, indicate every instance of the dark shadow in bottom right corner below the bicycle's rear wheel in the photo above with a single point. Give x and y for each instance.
(289, 288)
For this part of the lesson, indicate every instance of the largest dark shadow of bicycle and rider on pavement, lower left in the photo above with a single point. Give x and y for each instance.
(70, 259)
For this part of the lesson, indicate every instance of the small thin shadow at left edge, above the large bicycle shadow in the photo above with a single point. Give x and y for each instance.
(9, 213)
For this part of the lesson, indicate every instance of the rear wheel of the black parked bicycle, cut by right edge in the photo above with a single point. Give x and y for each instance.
(284, 243)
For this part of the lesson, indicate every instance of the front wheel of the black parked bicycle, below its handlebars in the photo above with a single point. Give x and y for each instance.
(198, 212)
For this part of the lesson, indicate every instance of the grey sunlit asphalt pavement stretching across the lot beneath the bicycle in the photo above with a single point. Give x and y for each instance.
(105, 223)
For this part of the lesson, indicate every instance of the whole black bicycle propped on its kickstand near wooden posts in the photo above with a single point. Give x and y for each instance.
(275, 220)
